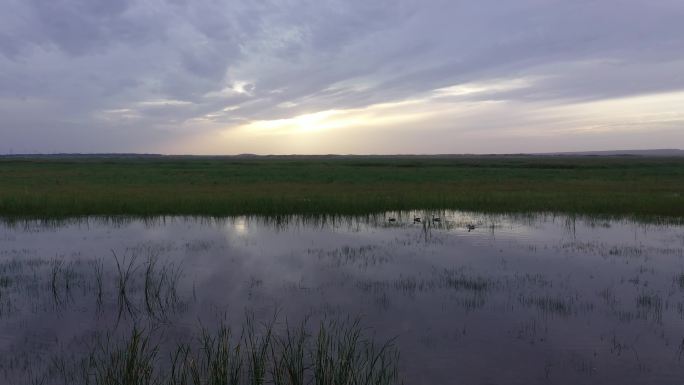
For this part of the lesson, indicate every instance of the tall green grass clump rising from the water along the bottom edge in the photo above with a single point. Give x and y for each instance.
(338, 353)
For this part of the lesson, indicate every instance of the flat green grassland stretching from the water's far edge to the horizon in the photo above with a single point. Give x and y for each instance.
(615, 186)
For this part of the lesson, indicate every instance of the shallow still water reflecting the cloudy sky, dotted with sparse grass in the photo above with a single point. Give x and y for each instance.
(517, 300)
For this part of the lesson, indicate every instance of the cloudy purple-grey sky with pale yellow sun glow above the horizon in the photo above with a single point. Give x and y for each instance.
(340, 76)
